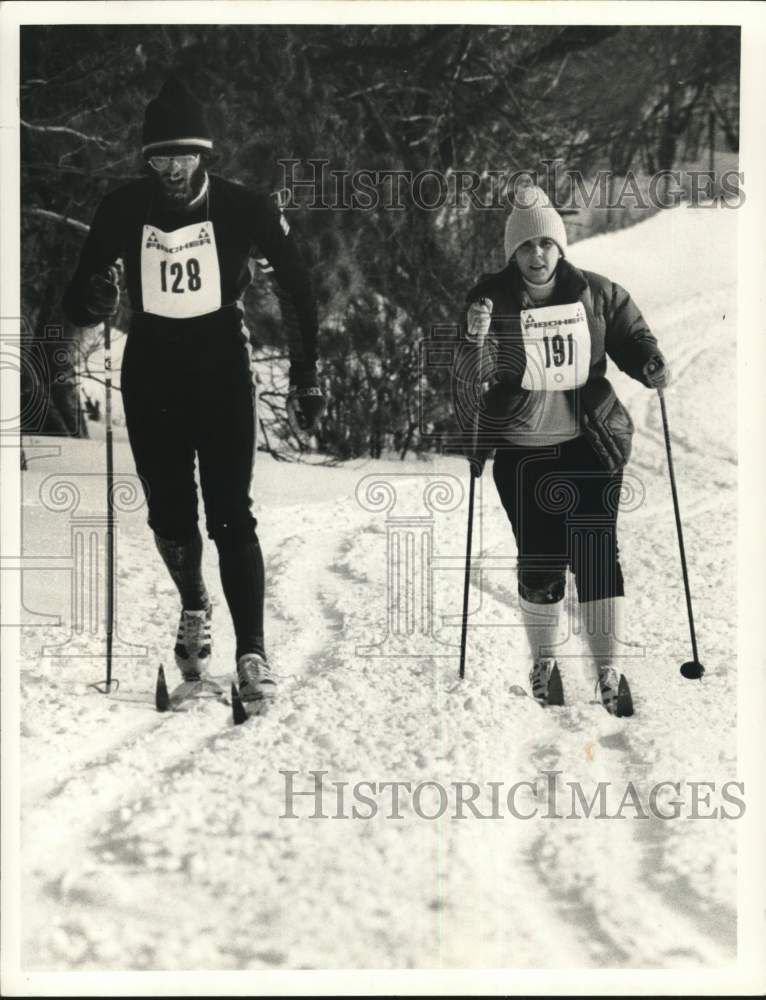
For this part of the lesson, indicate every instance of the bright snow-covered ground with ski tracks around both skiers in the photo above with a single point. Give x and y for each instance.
(162, 842)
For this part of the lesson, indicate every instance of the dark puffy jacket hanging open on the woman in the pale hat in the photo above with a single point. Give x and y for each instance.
(617, 329)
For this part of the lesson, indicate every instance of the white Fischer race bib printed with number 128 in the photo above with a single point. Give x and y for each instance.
(180, 275)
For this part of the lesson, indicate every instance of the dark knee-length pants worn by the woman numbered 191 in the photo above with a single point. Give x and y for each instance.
(563, 508)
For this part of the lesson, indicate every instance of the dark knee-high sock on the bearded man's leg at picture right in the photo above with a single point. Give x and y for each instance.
(243, 580)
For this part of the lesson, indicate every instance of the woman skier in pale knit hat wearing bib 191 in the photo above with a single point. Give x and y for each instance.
(561, 437)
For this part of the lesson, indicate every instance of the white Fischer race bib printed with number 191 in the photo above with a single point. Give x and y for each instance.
(557, 346)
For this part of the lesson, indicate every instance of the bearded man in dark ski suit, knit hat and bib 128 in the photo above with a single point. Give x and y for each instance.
(186, 238)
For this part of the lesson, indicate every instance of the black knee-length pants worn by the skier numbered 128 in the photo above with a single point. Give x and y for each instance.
(189, 395)
